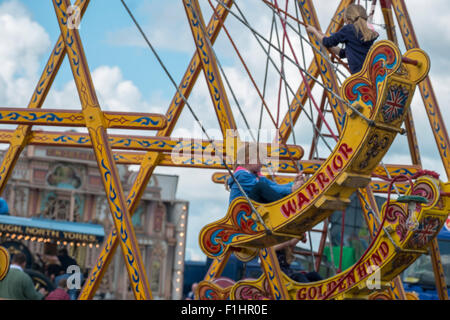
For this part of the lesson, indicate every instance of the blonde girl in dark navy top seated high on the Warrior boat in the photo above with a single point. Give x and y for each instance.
(356, 35)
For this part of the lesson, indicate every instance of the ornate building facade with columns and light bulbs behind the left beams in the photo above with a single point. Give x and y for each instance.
(65, 184)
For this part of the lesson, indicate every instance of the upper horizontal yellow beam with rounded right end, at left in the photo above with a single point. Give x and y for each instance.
(73, 118)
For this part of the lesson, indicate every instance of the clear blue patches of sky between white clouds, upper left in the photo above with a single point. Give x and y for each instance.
(98, 33)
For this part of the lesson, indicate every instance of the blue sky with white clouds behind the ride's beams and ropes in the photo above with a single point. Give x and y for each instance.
(127, 77)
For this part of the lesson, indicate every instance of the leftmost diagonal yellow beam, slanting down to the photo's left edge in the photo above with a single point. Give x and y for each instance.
(45, 81)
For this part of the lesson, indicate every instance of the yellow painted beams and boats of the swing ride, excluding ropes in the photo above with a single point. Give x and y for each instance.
(365, 129)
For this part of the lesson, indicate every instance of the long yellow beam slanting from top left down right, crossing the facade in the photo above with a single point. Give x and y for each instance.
(96, 126)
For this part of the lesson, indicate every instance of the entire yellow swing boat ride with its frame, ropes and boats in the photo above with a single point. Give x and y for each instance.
(369, 110)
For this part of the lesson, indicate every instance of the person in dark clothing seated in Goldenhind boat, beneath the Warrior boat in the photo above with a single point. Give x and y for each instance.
(285, 257)
